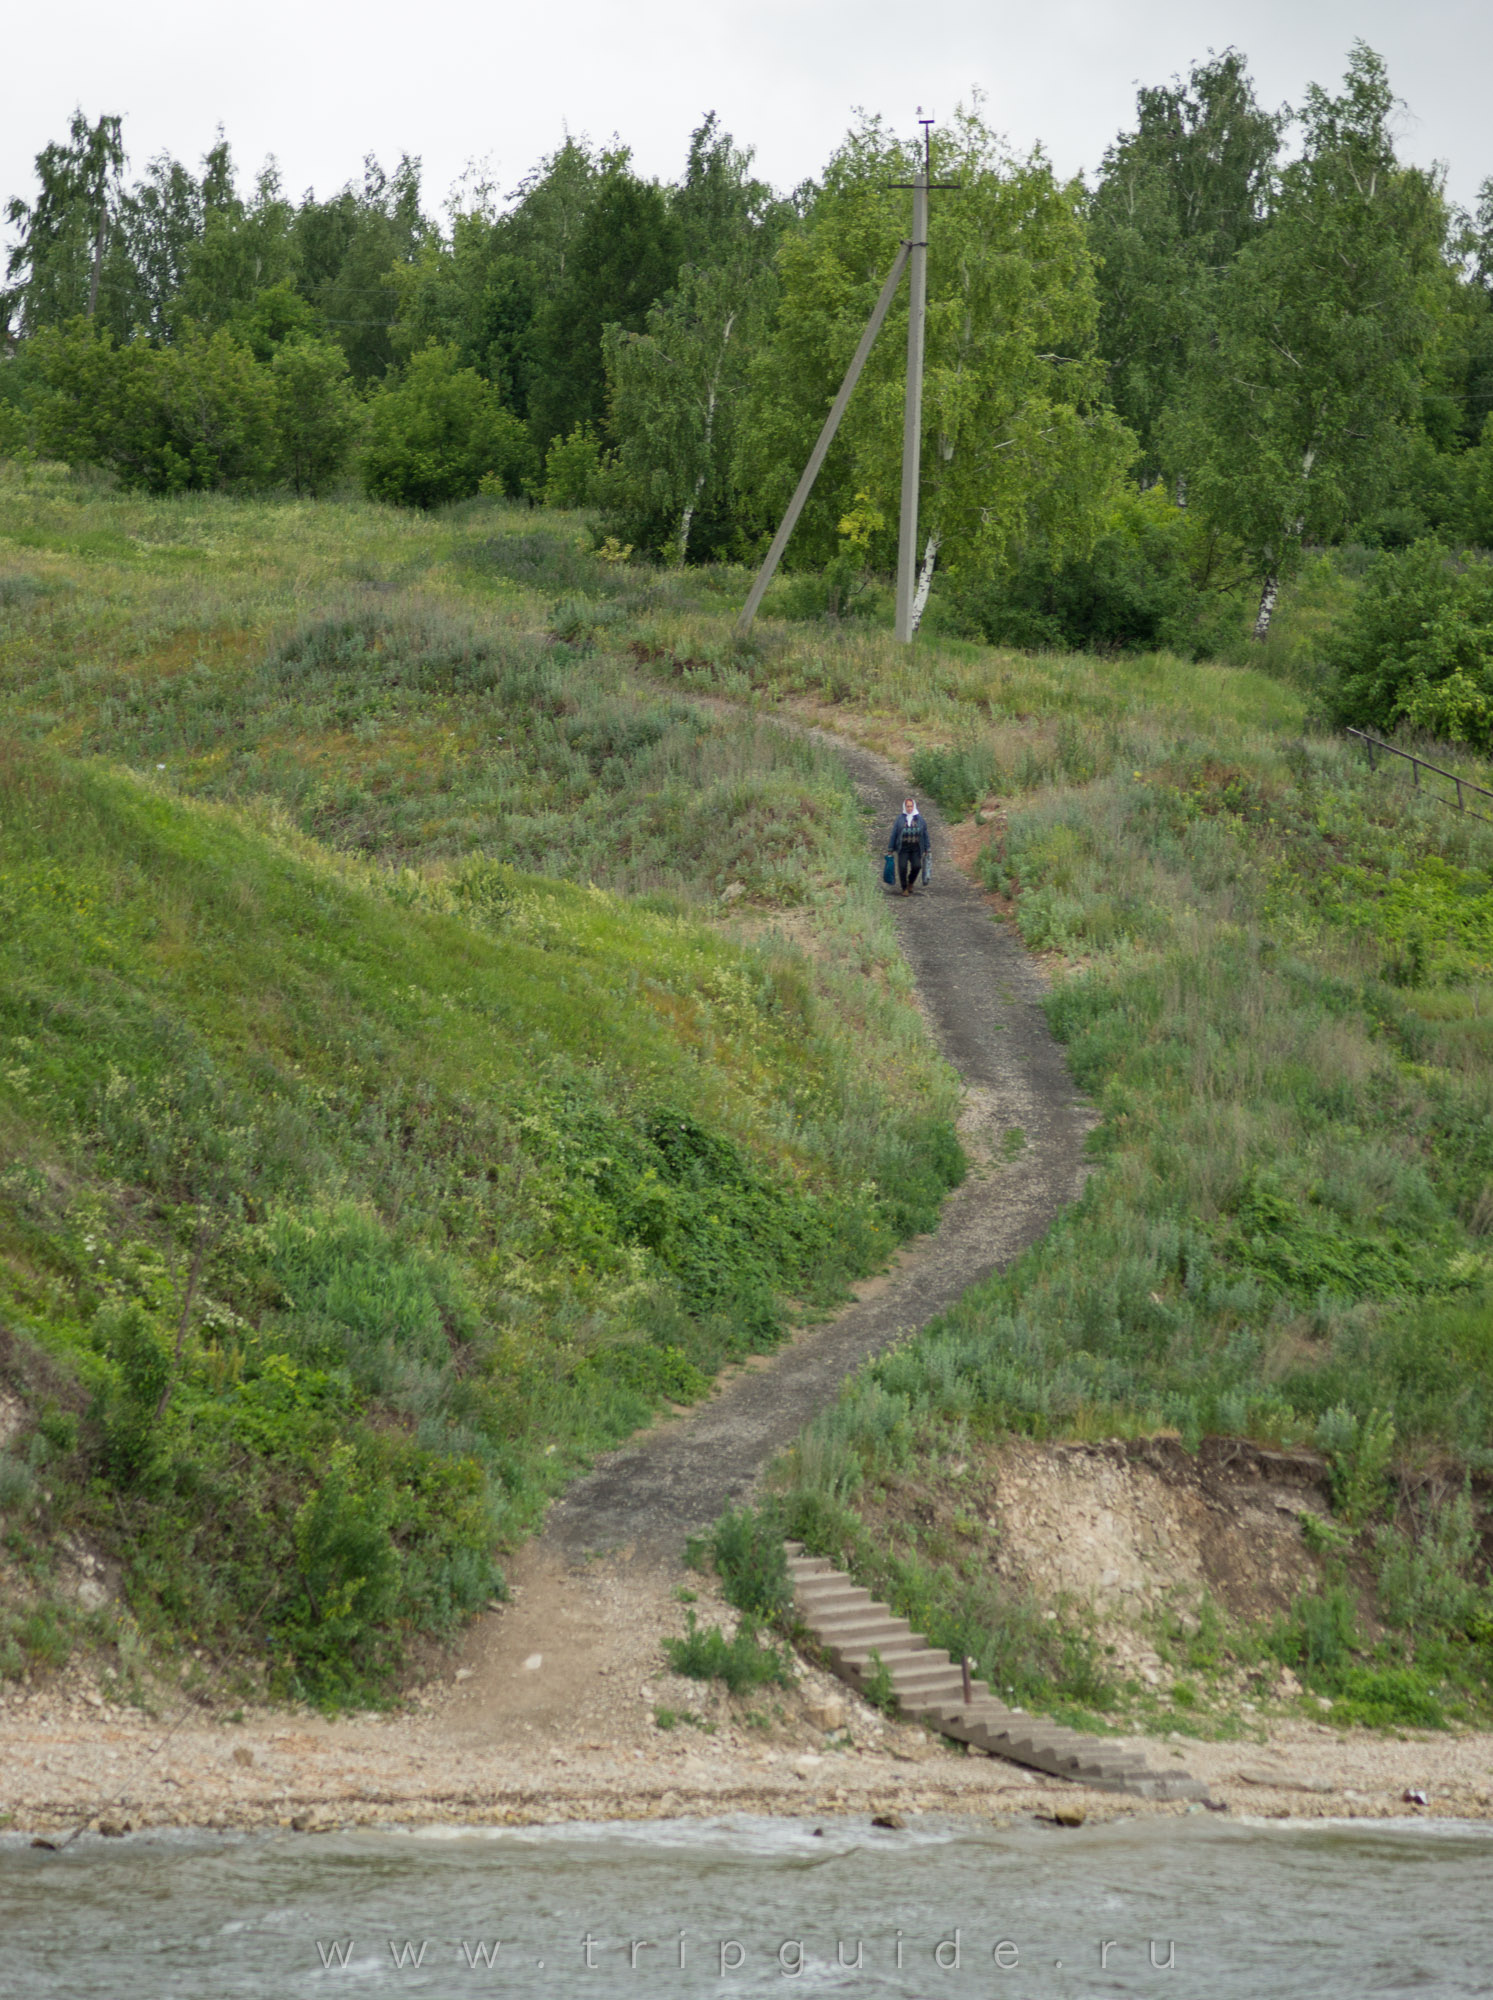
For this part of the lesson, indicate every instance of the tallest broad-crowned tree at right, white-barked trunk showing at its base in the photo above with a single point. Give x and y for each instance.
(1304, 397)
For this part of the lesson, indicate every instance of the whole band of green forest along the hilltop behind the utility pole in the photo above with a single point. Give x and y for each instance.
(1254, 339)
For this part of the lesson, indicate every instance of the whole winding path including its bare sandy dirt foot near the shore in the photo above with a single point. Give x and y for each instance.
(577, 1649)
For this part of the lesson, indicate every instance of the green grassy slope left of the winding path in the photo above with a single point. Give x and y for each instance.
(395, 1177)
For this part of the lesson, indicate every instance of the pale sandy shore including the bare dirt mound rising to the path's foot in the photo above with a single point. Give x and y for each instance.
(559, 1707)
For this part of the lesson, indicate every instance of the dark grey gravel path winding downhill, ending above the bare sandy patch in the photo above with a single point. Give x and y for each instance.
(982, 997)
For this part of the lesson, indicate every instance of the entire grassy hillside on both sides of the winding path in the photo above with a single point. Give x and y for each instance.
(1274, 973)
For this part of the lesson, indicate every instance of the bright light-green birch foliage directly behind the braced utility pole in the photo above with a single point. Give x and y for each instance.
(1018, 441)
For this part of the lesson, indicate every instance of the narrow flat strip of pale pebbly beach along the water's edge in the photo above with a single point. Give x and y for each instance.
(277, 1771)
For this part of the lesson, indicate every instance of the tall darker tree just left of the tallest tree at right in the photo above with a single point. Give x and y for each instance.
(1176, 201)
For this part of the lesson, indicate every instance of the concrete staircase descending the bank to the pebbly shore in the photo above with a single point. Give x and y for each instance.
(930, 1687)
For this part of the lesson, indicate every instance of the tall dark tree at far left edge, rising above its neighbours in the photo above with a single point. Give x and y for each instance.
(55, 271)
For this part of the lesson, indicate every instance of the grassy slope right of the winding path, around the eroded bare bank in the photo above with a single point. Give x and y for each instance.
(1276, 975)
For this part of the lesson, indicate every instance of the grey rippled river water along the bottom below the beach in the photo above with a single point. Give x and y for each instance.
(1184, 1909)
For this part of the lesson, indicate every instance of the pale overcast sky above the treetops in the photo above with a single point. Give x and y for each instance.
(451, 81)
